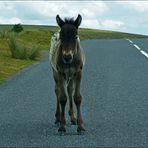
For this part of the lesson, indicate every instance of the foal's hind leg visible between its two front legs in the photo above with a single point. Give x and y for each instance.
(70, 94)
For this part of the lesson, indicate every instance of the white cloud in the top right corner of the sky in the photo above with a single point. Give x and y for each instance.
(140, 6)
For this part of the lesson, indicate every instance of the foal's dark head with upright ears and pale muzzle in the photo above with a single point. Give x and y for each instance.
(68, 37)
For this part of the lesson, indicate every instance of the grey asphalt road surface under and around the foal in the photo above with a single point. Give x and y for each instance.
(114, 107)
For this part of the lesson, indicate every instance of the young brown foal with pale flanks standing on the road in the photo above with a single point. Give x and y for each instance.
(67, 59)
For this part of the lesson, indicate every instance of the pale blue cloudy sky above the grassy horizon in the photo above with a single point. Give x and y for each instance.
(124, 16)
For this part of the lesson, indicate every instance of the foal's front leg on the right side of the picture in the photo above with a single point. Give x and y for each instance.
(78, 100)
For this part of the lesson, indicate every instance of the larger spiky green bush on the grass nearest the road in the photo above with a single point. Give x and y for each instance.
(19, 51)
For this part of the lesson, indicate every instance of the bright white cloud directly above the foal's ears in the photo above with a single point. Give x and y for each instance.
(70, 8)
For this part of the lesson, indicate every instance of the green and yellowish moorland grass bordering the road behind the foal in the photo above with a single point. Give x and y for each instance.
(35, 39)
